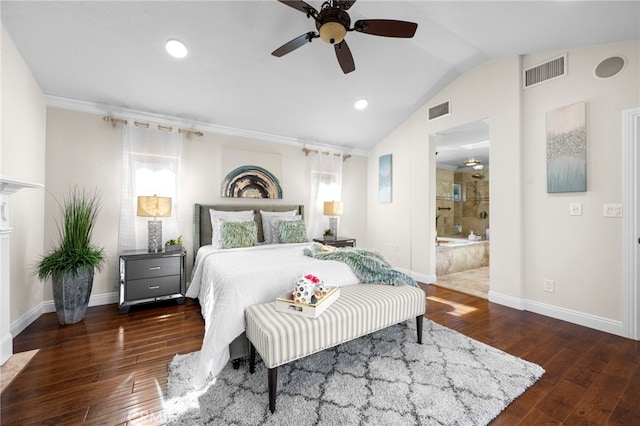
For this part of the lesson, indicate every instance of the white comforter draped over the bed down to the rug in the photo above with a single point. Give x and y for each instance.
(228, 281)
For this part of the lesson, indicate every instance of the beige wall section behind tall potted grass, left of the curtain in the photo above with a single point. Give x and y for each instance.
(85, 151)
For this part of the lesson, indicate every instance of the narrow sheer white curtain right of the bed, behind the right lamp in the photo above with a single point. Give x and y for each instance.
(326, 185)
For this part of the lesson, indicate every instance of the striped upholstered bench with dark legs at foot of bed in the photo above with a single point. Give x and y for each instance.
(361, 309)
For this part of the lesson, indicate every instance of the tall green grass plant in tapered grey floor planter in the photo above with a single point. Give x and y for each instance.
(72, 263)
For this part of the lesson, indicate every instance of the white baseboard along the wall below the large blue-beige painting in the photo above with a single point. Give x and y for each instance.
(575, 317)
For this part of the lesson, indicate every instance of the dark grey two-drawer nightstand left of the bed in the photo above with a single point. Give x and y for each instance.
(151, 277)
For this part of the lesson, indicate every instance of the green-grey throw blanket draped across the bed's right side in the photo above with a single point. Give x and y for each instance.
(369, 267)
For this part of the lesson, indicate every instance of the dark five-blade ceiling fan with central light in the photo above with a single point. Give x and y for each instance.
(333, 23)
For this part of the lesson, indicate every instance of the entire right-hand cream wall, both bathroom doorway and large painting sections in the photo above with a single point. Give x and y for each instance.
(532, 235)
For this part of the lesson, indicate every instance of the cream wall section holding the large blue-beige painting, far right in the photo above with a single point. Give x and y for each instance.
(582, 254)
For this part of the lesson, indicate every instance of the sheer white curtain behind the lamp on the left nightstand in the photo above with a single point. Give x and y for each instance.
(151, 166)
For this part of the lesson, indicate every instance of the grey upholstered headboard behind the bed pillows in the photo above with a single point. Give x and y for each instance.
(202, 219)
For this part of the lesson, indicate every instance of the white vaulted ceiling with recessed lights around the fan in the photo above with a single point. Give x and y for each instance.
(112, 52)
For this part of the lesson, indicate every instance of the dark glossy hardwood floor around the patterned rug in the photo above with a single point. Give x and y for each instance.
(111, 369)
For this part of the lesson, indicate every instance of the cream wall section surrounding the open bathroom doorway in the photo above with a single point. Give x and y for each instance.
(408, 224)
